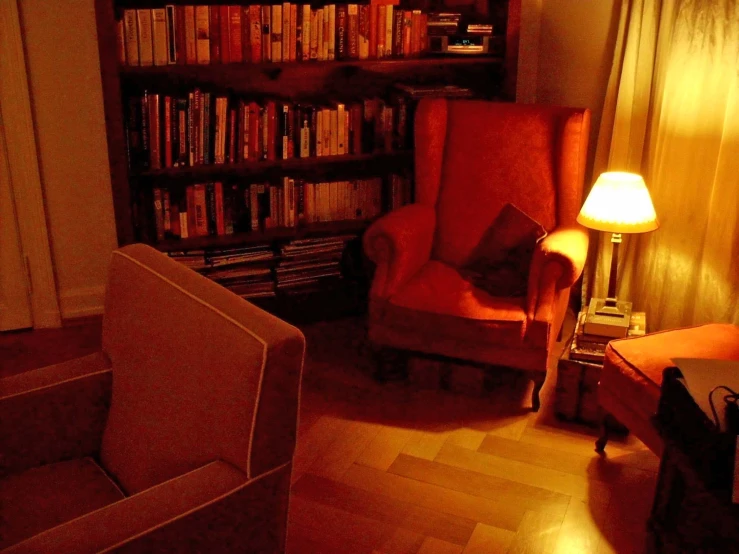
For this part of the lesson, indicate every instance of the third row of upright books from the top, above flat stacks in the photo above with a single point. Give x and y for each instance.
(212, 209)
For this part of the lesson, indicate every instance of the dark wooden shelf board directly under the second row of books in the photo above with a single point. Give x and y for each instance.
(356, 163)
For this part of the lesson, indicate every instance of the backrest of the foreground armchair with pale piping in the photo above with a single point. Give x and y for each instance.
(199, 374)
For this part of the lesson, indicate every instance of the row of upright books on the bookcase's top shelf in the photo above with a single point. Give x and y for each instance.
(269, 33)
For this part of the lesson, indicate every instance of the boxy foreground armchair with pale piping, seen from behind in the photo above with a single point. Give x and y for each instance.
(177, 436)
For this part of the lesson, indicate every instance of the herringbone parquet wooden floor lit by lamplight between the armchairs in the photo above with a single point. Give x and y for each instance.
(409, 468)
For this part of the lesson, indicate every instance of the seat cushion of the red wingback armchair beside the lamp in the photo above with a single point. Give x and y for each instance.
(439, 301)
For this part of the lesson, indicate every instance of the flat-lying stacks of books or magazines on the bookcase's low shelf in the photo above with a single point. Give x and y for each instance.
(257, 271)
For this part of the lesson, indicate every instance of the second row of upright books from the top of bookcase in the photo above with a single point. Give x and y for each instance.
(166, 131)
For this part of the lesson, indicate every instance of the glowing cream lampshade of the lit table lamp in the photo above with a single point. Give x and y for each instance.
(619, 202)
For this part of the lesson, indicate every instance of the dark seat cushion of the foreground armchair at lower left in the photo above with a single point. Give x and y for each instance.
(47, 496)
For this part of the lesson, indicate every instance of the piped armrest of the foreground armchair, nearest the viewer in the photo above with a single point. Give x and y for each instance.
(211, 509)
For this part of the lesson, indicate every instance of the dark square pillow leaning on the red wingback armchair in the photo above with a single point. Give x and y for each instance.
(500, 263)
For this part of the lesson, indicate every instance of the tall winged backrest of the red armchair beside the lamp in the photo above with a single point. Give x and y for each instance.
(474, 156)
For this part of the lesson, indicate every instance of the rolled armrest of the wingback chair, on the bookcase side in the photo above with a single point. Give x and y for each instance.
(400, 244)
